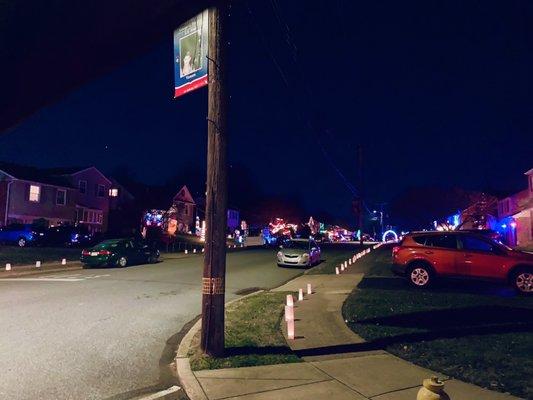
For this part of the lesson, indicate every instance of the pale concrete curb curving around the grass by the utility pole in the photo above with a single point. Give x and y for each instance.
(189, 383)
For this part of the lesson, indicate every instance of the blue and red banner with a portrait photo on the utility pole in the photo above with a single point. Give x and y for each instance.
(190, 54)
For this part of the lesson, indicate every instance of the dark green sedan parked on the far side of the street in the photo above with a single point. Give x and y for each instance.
(119, 253)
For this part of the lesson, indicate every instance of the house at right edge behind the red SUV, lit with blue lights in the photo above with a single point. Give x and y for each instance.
(516, 215)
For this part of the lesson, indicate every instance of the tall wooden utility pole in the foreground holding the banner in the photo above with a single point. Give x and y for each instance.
(213, 282)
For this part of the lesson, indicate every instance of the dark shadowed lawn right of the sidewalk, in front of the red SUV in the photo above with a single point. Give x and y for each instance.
(475, 332)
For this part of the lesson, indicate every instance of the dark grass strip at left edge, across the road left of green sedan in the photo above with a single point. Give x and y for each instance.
(28, 255)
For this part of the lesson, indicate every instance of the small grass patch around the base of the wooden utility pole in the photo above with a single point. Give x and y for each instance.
(253, 335)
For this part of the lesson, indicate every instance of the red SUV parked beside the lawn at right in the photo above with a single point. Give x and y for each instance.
(424, 256)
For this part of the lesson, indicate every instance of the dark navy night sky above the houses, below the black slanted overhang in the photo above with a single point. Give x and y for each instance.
(438, 93)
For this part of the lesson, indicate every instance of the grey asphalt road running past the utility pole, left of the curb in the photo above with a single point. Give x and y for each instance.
(101, 333)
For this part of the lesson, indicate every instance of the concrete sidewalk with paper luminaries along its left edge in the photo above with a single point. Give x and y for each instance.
(337, 364)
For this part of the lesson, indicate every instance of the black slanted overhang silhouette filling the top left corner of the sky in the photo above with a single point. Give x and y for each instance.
(48, 48)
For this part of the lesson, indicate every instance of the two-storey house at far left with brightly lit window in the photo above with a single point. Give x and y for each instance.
(59, 195)
